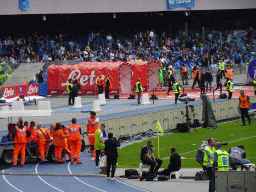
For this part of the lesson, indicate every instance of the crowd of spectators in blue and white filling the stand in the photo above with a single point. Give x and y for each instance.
(145, 45)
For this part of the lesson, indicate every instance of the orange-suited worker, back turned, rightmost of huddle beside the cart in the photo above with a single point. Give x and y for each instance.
(75, 141)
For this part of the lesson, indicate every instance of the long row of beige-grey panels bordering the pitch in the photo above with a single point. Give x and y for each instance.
(168, 119)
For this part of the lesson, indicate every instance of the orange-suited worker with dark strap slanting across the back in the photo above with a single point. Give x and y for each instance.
(42, 139)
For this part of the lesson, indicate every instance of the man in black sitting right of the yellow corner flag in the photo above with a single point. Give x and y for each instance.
(175, 163)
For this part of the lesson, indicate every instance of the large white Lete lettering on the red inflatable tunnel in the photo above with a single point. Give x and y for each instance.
(76, 74)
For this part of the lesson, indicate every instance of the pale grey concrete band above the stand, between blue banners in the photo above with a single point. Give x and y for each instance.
(11, 7)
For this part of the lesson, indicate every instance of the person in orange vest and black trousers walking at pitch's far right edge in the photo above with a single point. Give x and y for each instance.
(244, 106)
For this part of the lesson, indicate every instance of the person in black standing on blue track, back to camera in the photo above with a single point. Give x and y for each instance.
(111, 152)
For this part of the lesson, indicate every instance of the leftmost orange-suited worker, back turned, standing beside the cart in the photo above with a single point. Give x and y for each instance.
(20, 134)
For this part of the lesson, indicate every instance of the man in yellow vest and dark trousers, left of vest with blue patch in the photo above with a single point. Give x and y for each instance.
(208, 162)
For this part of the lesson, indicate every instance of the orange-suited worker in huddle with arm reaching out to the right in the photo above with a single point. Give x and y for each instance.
(58, 142)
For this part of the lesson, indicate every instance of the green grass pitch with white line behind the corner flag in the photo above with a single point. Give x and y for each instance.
(186, 144)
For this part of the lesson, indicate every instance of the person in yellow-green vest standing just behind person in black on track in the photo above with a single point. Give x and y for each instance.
(99, 143)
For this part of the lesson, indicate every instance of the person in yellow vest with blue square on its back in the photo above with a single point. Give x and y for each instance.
(220, 161)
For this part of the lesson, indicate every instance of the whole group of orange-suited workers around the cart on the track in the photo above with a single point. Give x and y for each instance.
(64, 138)
